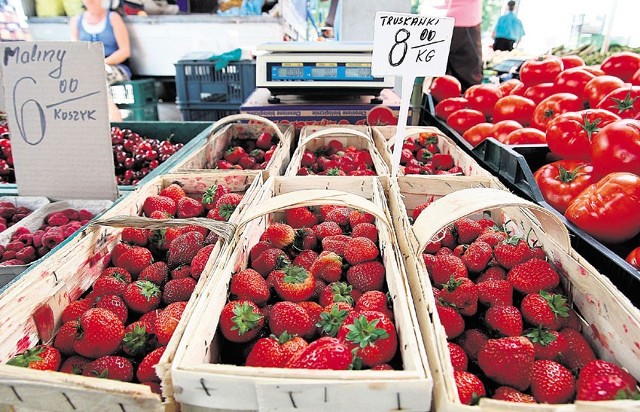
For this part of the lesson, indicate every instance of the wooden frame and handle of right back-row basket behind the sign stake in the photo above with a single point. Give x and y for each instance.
(384, 137)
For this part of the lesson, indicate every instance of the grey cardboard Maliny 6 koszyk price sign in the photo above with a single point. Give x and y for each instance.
(56, 102)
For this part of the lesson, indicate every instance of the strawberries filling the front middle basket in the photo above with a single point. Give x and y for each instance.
(313, 296)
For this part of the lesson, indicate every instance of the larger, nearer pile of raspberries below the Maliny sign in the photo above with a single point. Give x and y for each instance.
(26, 247)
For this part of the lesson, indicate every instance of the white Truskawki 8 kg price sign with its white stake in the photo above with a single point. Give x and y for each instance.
(410, 46)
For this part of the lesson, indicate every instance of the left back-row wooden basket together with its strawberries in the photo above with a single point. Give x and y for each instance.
(259, 145)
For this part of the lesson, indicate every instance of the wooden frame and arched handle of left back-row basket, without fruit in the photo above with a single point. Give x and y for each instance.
(228, 128)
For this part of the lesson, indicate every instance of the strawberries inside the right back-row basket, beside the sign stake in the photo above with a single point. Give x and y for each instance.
(421, 156)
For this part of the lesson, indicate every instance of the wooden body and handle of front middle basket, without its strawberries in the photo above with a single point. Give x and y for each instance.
(200, 382)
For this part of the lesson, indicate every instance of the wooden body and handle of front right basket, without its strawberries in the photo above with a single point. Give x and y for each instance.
(610, 322)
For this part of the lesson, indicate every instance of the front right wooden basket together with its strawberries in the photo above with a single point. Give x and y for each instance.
(514, 313)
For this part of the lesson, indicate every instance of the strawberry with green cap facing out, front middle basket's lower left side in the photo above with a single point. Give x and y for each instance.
(241, 321)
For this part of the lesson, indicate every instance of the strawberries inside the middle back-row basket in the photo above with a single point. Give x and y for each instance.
(333, 159)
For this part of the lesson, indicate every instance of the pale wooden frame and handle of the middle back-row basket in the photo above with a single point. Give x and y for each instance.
(314, 137)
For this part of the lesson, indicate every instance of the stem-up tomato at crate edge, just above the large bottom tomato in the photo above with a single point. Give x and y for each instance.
(561, 181)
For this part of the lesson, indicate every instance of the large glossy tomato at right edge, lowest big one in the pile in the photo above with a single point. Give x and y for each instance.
(608, 210)
